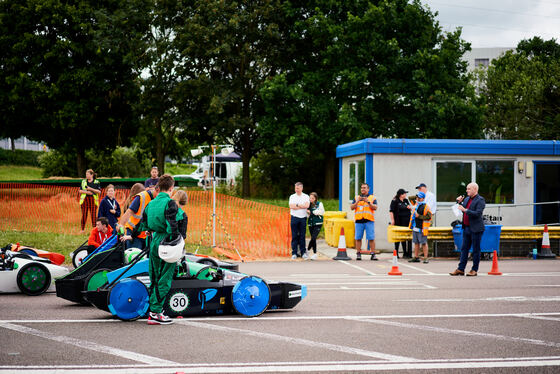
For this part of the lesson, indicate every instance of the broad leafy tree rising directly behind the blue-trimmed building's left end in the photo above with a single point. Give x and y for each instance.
(355, 69)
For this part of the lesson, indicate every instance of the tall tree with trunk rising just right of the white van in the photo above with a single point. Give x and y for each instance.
(228, 51)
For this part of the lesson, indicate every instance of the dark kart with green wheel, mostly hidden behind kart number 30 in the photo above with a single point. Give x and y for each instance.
(93, 268)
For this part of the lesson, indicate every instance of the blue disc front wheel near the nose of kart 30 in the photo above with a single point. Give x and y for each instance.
(251, 296)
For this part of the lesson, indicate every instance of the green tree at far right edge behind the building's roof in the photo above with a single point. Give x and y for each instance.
(522, 91)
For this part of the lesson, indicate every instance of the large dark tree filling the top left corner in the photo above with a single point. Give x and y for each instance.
(69, 71)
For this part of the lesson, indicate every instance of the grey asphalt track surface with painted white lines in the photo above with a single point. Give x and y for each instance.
(356, 318)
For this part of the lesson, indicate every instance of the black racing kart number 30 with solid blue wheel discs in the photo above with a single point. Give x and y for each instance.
(197, 289)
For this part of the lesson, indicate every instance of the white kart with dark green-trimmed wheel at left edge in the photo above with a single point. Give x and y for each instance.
(32, 275)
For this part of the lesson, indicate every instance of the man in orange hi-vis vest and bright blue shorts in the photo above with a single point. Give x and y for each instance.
(365, 205)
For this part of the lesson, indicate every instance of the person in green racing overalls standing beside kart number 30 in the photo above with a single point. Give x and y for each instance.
(160, 218)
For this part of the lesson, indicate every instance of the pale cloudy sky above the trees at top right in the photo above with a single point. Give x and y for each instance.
(499, 23)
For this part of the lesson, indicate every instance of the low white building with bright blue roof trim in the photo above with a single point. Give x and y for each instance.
(512, 175)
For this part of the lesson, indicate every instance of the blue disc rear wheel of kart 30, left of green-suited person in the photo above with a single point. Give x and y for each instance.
(128, 299)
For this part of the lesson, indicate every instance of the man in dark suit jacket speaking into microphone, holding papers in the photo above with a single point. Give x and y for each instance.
(473, 226)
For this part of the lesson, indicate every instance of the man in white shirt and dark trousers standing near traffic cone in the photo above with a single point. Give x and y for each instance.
(299, 202)
